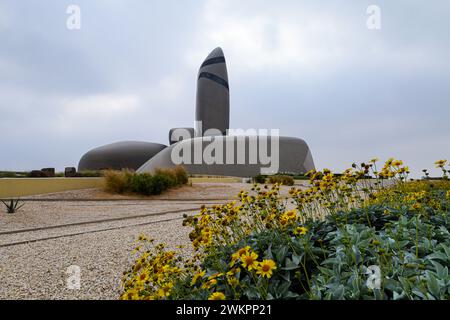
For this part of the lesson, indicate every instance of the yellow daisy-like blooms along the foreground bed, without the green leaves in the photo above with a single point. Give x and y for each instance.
(155, 271)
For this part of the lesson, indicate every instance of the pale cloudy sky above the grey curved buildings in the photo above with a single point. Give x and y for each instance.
(314, 71)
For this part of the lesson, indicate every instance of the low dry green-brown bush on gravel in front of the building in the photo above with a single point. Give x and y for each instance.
(144, 183)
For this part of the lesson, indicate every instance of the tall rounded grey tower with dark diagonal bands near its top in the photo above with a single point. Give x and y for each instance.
(212, 109)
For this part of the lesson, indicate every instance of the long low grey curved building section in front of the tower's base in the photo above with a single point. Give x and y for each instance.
(292, 156)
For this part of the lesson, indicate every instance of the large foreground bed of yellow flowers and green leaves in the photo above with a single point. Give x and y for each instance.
(326, 244)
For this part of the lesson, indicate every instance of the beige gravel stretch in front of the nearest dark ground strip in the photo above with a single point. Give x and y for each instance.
(38, 270)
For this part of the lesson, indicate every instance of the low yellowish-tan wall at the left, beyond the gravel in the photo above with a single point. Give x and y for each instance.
(12, 187)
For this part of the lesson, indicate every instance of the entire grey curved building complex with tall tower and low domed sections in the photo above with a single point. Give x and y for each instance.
(208, 149)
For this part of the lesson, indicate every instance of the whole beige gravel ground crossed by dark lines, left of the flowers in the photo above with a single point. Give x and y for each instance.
(95, 231)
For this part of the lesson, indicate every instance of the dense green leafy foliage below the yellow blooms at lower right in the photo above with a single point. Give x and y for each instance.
(331, 260)
